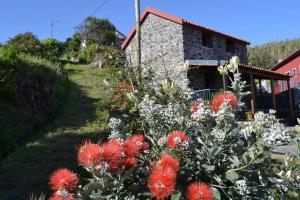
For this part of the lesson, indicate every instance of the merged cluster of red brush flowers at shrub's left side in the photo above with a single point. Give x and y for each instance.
(111, 156)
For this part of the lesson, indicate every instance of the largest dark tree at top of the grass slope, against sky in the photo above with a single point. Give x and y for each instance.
(97, 31)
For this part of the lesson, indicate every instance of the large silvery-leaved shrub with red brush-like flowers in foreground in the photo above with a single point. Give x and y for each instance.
(189, 149)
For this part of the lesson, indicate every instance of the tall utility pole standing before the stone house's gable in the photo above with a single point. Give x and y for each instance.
(138, 40)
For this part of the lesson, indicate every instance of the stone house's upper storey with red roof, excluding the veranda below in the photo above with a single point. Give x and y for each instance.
(173, 40)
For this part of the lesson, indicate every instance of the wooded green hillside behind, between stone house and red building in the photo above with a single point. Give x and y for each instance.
(267, 55)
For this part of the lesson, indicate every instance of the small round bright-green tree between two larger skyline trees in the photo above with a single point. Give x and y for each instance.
(52, 49)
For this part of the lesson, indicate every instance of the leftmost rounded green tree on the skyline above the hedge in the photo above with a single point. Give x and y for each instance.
(26, 43)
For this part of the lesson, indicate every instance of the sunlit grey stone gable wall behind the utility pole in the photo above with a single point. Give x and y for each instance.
(161, 42)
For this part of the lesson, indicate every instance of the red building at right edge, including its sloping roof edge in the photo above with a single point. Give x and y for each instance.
(289, 66)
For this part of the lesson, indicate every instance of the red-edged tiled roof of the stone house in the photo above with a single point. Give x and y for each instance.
(178, 20)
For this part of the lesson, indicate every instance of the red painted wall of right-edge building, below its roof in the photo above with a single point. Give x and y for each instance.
(288, 67)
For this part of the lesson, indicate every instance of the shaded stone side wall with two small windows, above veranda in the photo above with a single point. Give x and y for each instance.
(193, 49)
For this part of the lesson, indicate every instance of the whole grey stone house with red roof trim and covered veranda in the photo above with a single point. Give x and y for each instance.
(172, 41)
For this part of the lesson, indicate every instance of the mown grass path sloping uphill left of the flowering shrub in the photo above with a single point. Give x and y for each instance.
(83, 116)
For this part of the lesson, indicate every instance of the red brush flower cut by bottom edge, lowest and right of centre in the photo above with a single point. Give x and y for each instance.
(199, 191)
